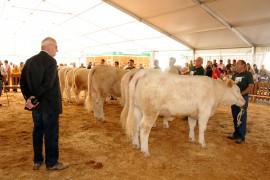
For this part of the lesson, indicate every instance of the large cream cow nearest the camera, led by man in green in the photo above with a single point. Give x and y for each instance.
(153, 93)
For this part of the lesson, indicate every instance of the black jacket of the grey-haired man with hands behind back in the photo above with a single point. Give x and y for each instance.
(39, 78)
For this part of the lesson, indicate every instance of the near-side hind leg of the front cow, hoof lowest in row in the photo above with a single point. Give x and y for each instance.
(145, 128)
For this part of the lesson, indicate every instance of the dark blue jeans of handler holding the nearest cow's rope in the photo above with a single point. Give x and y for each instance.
(240, 131)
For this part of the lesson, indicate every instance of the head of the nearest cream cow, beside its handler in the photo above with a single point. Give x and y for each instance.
(233, 94)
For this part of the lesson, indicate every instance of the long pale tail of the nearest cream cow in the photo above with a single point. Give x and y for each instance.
(131, 119)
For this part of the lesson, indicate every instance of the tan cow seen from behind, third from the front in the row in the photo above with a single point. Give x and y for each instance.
(103, 80)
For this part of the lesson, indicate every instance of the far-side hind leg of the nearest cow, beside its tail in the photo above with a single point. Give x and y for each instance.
(138, 118)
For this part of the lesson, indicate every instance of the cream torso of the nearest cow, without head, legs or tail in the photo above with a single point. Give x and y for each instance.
(175, 95)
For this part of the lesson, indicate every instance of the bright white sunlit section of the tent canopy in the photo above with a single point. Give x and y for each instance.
(80, 27)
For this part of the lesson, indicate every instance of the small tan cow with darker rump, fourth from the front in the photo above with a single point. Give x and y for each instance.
(80, 82)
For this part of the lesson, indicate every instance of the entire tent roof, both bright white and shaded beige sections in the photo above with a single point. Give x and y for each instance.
(84, 26)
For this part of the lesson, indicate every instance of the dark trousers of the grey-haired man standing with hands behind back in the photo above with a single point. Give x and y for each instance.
(46, 125)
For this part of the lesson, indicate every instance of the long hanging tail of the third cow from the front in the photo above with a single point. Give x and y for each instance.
(89, 99)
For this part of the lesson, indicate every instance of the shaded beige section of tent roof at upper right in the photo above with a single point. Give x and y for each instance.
(205, 24)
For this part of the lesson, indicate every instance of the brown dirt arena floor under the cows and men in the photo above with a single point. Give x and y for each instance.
(100, 150)
